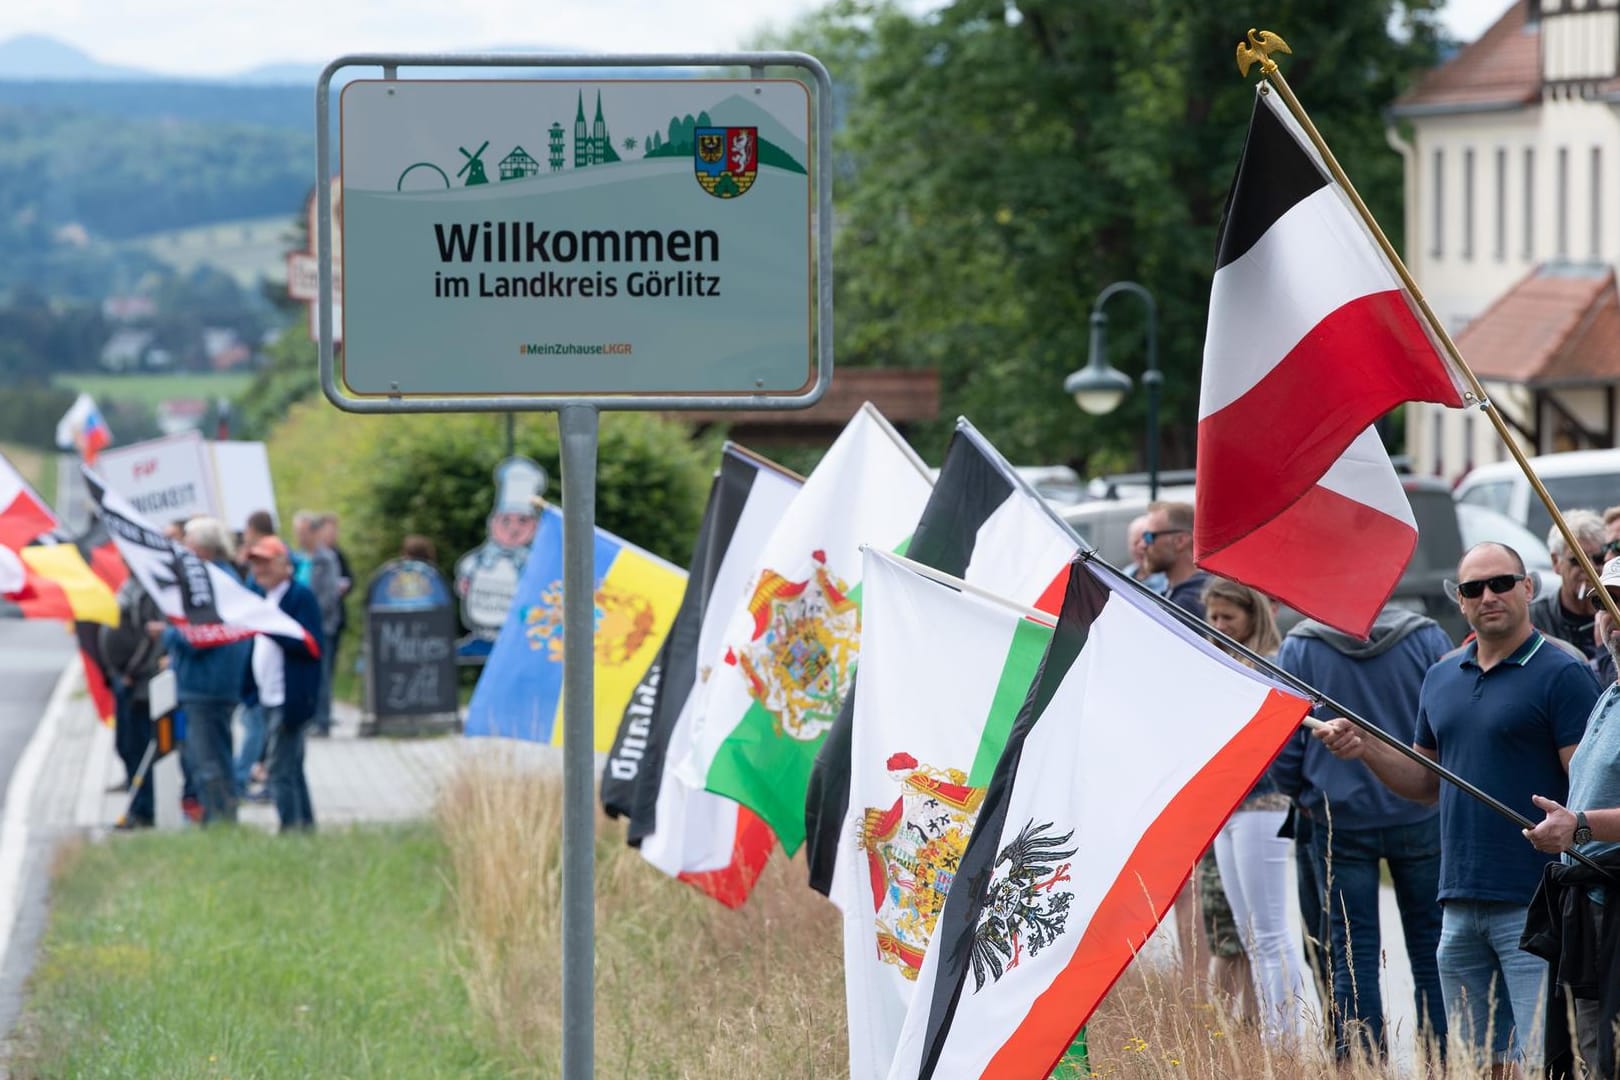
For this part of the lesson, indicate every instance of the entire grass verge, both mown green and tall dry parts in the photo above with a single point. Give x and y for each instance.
(435, 951)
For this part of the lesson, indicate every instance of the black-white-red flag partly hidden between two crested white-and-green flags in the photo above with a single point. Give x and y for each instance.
(986, 525)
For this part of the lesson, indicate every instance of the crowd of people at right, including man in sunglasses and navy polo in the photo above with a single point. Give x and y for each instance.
(1504, 929)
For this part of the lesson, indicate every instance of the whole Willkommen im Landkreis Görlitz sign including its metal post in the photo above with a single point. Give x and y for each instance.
(573, 247)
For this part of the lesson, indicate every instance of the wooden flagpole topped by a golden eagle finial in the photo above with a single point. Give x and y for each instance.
(1260, 49)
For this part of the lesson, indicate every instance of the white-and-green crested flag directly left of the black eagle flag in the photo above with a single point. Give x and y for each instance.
(944, 673)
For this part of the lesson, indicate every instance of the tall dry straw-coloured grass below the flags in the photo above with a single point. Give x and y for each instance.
(688, 989)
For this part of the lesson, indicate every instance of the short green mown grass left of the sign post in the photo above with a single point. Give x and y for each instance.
(242, 955)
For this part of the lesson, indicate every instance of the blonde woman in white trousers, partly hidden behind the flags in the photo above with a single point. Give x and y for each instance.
(1256, 865)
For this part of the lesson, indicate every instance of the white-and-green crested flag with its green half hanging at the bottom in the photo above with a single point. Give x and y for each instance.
(790, 652)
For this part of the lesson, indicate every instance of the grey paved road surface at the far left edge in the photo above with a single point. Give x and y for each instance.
(33, 657)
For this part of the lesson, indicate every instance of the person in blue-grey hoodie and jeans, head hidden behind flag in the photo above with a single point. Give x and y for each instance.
(1355, 823)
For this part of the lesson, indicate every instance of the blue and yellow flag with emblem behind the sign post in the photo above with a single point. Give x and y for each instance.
(521, 691)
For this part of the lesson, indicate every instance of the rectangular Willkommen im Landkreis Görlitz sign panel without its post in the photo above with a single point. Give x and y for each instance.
(581, 240)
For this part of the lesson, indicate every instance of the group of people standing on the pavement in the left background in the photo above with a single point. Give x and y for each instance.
(276, 689)
